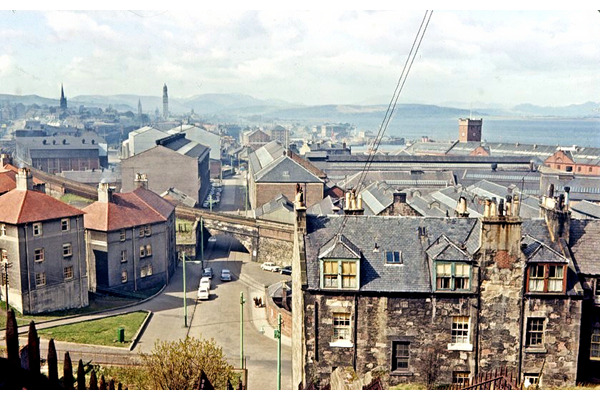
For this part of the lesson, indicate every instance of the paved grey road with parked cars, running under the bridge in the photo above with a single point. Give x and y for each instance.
(217, 318)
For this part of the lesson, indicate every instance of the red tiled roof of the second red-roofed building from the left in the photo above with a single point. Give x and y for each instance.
(126, 210)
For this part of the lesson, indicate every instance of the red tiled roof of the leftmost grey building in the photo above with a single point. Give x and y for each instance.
(24, 206)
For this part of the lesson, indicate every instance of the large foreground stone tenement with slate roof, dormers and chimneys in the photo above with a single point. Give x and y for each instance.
(446, 298)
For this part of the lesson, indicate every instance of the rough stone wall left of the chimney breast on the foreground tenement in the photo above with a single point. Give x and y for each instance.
(425, 323)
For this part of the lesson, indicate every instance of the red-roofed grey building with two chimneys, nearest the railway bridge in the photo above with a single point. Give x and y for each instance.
(130, 239)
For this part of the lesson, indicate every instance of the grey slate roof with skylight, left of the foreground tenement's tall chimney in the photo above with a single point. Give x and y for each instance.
(390, 234)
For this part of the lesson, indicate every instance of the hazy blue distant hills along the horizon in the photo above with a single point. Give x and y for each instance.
(236, 104)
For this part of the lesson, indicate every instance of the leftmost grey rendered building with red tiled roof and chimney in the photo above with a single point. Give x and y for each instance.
(42, 252)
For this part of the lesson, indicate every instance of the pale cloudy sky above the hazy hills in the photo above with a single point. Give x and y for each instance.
(310, 57)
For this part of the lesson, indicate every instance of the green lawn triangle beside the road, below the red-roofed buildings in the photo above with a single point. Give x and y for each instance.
(103, 332)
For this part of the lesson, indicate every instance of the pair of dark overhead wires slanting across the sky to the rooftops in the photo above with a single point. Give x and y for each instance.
(392, 105)
